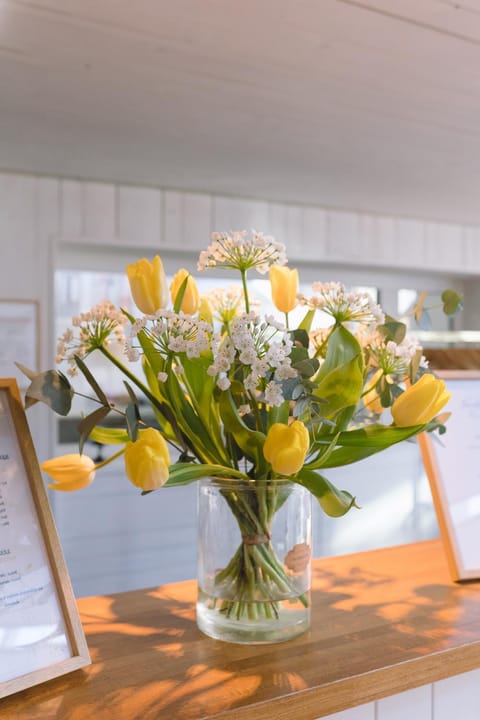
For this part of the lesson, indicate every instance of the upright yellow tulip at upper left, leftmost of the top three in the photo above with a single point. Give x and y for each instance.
(148, 285)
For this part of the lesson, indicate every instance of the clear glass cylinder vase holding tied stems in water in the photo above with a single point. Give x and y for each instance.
(254, 560)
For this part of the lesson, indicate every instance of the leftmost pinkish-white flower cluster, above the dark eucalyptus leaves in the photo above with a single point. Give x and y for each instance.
(98, 326)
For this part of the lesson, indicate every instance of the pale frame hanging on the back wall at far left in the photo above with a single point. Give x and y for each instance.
(19, 337)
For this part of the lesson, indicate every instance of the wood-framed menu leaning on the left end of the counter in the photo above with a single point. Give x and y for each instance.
(41, 636)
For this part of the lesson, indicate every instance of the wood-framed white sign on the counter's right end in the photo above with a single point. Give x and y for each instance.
(453, 469)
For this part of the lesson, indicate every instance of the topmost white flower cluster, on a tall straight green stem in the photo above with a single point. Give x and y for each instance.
(239, 252)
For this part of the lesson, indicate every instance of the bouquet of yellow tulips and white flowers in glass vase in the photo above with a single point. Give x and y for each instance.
(262, 407)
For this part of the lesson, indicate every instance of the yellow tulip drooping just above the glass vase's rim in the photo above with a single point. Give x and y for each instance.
(286, 446)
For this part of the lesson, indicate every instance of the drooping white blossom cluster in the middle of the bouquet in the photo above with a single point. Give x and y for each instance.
(263, 348)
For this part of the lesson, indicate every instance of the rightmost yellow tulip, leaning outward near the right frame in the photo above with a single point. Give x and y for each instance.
(421, 402)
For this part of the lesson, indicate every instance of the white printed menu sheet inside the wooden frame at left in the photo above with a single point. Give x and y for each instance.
(32, 626)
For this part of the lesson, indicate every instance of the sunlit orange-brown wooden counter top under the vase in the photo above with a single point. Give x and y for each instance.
(383, 622)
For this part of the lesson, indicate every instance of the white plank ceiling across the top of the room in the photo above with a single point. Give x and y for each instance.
(363, 104)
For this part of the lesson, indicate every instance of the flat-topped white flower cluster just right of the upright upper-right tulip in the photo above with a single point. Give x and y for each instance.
(334, 300)
